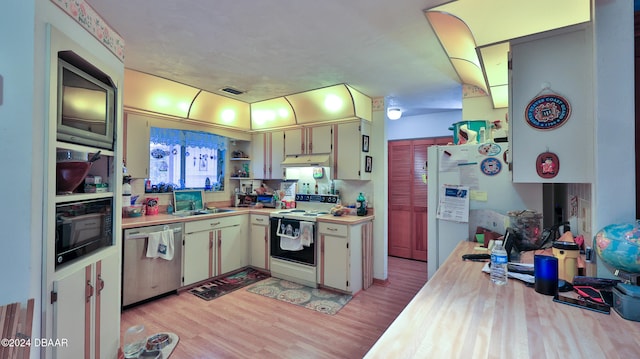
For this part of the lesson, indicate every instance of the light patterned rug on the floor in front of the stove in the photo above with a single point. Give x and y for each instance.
(320, 300)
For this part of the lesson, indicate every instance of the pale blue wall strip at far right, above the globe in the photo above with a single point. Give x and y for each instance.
(614, 186)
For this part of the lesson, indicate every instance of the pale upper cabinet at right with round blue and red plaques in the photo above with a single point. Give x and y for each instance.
(552, 113)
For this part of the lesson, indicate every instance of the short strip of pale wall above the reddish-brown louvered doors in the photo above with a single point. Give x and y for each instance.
(430, 125)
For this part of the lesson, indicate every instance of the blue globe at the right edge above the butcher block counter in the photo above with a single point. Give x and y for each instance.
(618, 245)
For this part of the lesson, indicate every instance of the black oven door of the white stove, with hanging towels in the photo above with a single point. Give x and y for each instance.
(306, 255)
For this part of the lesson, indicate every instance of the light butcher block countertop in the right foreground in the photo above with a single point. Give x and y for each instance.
(459, 313)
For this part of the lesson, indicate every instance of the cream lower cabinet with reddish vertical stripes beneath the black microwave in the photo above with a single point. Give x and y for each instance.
(86, 310)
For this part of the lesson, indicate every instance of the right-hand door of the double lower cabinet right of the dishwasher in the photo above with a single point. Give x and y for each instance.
(232, 249)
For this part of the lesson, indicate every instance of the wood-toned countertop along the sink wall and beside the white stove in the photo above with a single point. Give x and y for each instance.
(159, 219)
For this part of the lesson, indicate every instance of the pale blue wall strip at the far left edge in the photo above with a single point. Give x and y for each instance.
(20, 239)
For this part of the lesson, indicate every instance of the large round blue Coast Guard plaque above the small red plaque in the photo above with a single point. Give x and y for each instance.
(547, 112)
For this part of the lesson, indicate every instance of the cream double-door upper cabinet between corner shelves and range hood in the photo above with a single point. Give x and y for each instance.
(267, 152)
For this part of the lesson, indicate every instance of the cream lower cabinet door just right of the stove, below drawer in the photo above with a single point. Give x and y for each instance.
(334, 259)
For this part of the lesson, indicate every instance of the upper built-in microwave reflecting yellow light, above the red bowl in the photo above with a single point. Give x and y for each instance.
(86, 103)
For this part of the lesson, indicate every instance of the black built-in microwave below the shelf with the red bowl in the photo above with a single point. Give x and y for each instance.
(82, 228)
